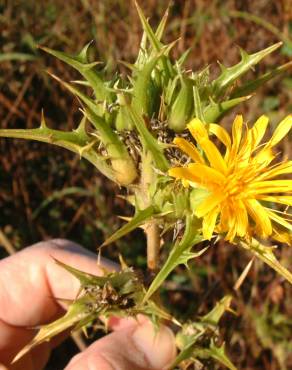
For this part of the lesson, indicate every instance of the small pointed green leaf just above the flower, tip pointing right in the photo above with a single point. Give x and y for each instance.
(215, 111)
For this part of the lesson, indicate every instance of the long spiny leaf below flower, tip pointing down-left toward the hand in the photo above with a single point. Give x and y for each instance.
(180, 254)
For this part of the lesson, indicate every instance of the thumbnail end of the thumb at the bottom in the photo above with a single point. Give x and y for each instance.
(157, 346)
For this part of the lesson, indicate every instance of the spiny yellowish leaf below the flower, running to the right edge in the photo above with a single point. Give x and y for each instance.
(266, 255)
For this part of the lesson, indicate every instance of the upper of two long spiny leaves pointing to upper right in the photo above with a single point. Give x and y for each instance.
(229, 75)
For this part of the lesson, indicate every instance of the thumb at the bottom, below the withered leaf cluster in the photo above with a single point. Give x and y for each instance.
(138, 347)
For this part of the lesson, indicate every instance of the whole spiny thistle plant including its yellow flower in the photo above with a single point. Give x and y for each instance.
(153, 133)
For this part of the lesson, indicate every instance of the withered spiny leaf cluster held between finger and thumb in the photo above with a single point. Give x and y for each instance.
(116, 293)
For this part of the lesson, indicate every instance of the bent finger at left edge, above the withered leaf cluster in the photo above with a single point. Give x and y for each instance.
(30, 285)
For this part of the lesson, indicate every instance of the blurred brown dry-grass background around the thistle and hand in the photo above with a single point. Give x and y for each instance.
(47, 192)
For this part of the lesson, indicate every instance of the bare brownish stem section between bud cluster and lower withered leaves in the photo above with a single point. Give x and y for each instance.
(153, 244)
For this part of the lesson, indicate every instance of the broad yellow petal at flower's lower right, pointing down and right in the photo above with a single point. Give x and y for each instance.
(260, 216)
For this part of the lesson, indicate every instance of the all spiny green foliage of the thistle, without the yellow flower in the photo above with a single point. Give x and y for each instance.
(148, 108)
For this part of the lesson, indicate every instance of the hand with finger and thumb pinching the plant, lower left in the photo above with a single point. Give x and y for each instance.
(30, 285)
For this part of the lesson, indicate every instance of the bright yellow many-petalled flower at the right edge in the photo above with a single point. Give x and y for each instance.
(240, 184)
